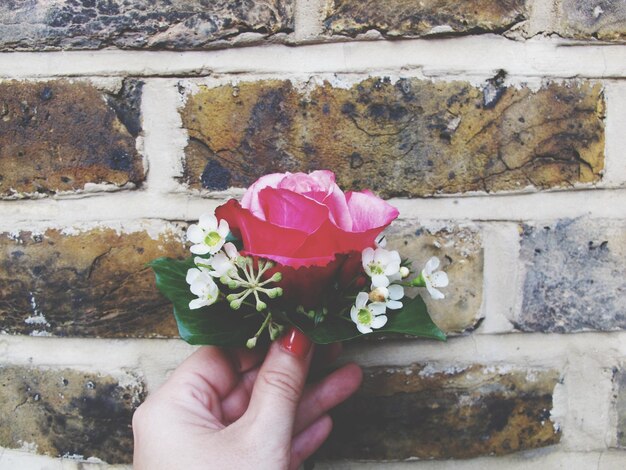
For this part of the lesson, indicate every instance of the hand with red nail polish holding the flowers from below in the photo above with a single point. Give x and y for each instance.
(222, 410)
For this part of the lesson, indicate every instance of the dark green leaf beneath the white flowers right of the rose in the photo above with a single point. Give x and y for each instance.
(412, 319)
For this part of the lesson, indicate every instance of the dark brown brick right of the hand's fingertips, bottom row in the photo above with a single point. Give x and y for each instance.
(425, 412)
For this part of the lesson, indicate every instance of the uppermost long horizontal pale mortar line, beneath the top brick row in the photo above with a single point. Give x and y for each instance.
(539, 57)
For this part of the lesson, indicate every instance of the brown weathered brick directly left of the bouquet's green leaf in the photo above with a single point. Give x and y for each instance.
(92, 283)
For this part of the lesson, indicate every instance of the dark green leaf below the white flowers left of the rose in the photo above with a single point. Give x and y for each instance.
(216, 325)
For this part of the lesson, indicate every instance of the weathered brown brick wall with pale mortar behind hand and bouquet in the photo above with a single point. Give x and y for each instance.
(498, 128)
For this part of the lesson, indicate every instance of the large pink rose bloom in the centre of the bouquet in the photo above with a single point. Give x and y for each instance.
(307, 225)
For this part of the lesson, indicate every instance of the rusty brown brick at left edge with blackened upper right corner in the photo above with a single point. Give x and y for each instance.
(60, 135)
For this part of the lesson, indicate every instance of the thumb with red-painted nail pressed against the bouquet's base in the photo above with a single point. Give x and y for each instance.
(278, 387)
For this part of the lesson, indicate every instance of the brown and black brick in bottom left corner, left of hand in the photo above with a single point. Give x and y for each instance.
(65, 412)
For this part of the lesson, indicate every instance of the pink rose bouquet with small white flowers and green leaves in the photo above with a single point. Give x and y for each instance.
(297, 251)
